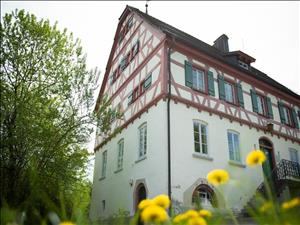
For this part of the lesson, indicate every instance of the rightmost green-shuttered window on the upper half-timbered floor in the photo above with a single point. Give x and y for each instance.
(288, 115)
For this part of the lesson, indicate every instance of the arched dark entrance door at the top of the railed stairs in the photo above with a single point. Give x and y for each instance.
(267, 147)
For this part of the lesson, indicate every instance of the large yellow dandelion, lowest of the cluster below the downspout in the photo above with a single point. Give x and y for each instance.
(154, 213)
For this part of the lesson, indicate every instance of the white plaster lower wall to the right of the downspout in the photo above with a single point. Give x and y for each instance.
(186, 169)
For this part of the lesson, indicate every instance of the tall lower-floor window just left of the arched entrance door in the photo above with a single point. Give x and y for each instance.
(234, 146)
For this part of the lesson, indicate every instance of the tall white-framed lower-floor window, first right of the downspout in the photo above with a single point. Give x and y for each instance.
(200, 137)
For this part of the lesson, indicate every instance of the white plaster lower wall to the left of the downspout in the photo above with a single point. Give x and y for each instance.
(115, 188)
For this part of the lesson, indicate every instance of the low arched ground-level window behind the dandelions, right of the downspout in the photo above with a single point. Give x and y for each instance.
(204, 195)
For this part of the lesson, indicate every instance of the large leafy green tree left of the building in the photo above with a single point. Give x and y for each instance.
(45, 112)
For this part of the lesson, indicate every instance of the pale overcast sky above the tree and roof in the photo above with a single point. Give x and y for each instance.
(267, 31)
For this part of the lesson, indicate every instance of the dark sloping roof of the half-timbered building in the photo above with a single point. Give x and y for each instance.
(210, 50)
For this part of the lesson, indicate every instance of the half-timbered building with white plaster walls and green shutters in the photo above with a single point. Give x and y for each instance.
(189, 107)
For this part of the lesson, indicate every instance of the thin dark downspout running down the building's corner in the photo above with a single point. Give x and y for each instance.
(168, 122)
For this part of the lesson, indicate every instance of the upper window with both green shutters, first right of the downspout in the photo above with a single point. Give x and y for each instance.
(198, 79)
